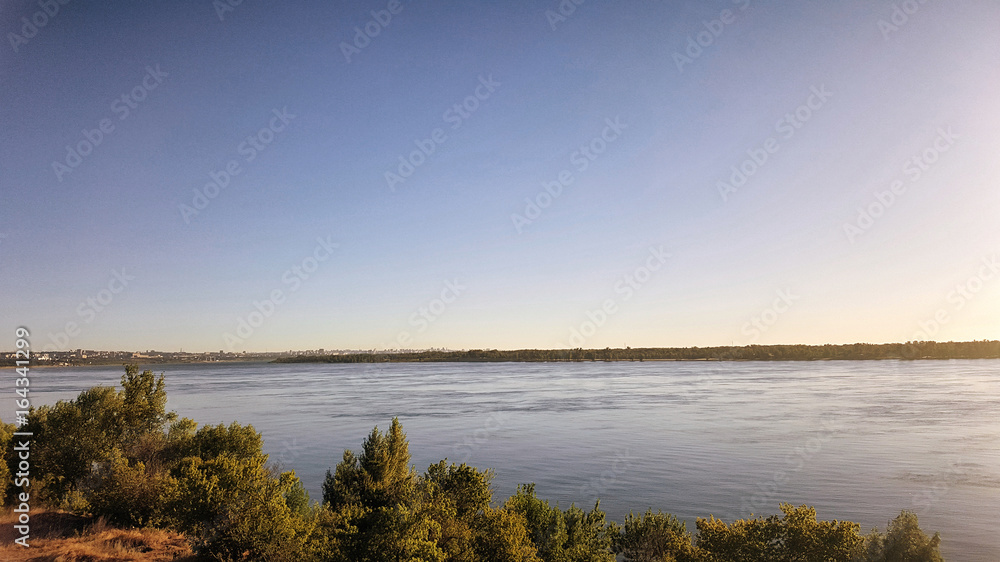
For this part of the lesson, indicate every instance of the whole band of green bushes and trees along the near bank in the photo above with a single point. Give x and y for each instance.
(120, 455)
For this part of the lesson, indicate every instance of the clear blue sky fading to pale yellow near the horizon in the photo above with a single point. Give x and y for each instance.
(256, 176)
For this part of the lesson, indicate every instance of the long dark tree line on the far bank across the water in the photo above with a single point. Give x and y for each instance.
(856, 351)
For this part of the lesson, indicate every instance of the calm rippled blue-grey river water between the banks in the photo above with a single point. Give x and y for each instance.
(857, 440)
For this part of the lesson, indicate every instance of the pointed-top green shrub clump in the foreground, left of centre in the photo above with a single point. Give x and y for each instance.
(377, 508)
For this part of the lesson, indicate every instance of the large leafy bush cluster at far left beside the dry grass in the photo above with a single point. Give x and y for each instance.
(111, 453)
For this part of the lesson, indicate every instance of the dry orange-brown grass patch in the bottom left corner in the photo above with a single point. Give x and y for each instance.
(62, 537)
